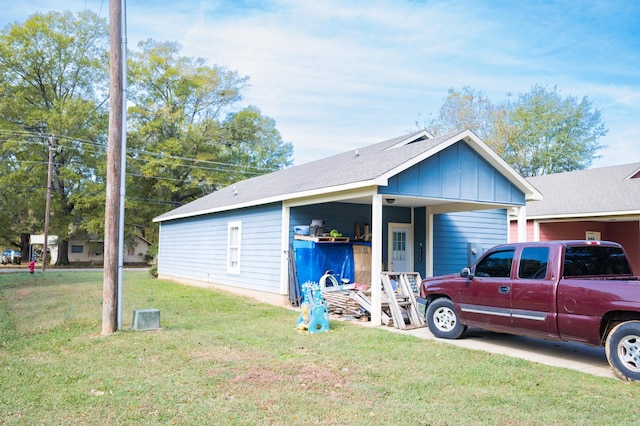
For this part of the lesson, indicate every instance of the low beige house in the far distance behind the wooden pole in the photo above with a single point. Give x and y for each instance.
(86, 249)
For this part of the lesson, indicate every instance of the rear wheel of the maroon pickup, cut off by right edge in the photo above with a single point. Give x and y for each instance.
(623, 350)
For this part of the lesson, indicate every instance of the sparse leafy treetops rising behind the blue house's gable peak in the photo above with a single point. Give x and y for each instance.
(539, 132)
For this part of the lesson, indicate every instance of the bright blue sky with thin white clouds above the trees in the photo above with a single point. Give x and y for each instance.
(340, 74)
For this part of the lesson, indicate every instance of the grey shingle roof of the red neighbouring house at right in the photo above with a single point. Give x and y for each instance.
(602, 191)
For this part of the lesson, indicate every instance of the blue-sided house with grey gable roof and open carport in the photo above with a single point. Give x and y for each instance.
(429, 205)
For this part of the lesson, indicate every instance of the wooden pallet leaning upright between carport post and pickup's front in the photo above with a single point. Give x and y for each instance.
(402, 299)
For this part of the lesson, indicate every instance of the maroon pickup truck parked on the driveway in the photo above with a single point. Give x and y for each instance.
(579, 291)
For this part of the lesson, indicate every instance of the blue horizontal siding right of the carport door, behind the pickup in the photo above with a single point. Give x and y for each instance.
(453, 232)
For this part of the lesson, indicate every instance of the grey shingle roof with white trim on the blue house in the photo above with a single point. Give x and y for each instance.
(365, 167)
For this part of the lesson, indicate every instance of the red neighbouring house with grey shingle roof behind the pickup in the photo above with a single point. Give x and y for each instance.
(594, 204)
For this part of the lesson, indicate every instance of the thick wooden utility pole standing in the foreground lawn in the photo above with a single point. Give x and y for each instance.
(114, 170)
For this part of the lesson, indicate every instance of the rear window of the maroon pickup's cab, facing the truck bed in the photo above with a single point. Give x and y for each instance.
(595, 260)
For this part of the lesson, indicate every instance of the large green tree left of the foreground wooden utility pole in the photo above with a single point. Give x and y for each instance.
(53, 85)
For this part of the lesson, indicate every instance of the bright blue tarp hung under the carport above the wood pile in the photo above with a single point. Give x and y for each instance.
(314, 259)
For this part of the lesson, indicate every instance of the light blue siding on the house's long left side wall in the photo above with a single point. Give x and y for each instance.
(196, 248)
